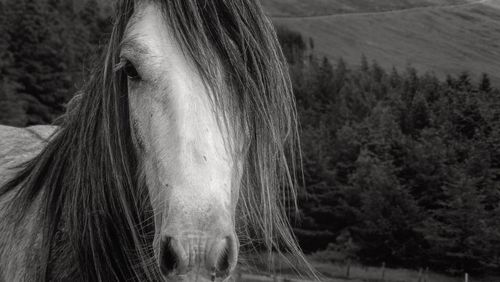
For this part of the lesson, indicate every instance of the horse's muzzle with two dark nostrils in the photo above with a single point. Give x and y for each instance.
(197, 256)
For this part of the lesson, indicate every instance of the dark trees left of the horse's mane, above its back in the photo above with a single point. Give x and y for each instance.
(45, 46)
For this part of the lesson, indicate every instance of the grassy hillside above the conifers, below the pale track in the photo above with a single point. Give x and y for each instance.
(438, 38)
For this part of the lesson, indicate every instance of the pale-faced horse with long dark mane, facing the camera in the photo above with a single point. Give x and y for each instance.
(180, 150)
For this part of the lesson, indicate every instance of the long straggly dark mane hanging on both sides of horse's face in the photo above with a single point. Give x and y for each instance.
(95, 209)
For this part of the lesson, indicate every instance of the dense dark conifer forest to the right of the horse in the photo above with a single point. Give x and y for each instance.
(399, 167)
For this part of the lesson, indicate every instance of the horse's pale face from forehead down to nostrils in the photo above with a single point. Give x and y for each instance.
(186, 154)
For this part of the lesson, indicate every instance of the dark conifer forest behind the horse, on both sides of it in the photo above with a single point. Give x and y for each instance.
(398, 166)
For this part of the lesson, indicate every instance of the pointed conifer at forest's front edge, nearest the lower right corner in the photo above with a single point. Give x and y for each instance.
(456, 231)
